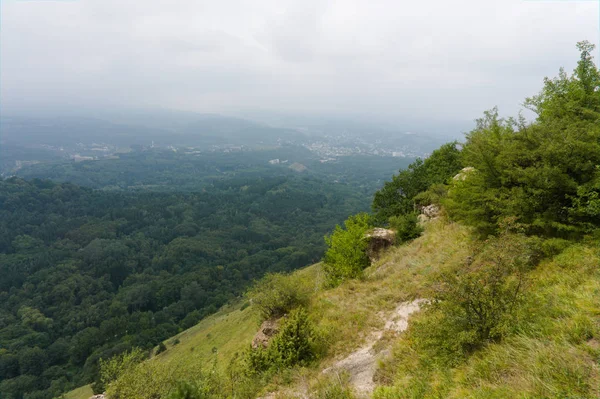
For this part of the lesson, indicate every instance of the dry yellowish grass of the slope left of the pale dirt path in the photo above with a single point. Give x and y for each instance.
(344, 314)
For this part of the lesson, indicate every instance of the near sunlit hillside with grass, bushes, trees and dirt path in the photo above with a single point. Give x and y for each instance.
(498, 274)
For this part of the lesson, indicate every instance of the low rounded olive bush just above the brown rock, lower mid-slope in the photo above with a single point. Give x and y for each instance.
(277, 294)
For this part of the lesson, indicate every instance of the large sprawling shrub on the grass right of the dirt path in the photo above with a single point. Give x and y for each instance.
(479, 303)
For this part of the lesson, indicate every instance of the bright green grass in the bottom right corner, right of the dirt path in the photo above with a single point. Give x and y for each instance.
(554, 352)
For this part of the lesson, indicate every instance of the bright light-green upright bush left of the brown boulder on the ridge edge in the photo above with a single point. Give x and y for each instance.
(346, 255)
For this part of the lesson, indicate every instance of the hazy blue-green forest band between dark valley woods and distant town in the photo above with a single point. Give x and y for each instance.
(165, 170)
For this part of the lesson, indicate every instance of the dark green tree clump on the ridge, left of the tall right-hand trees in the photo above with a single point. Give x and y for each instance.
(397, 197)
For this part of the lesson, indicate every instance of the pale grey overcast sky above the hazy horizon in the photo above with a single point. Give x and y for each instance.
(441, 59)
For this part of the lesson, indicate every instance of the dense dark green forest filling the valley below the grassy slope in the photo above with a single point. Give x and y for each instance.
(87, 274)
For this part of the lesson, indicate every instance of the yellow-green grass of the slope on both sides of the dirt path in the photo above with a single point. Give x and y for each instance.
(556, 353)
